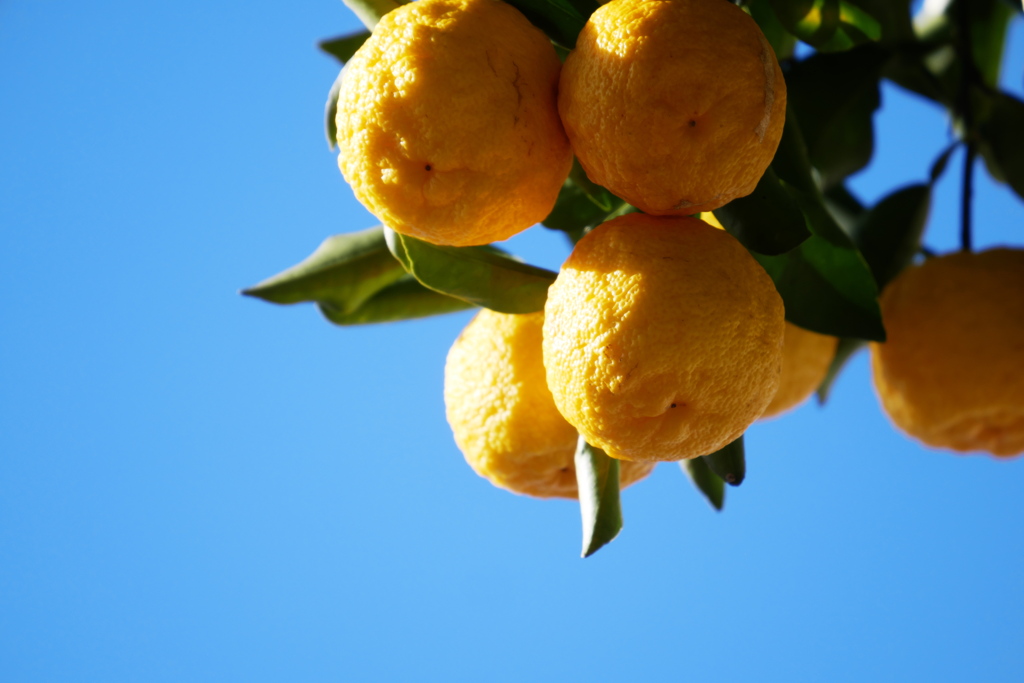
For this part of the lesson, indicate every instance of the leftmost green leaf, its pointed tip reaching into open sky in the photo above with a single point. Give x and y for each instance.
(344, 273)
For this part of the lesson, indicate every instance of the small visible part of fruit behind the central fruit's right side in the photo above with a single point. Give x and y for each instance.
(806, 357)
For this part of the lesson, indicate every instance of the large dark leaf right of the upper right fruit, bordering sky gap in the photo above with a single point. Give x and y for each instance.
(835, 98)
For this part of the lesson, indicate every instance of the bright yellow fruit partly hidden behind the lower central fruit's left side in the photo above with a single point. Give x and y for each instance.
(502, 414)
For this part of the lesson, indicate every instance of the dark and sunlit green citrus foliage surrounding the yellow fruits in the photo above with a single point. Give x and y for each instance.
(829, 255)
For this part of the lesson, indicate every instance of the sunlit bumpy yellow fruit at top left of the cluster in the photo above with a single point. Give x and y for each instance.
(448, 122)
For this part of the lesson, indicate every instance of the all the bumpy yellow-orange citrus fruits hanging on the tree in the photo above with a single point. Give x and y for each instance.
(662, 339)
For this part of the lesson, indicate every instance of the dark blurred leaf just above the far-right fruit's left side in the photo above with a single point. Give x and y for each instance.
(889, 235)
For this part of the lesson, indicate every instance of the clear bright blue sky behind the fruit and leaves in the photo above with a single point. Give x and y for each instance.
(197, 487)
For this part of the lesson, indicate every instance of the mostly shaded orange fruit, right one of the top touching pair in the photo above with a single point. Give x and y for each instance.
(676, 106)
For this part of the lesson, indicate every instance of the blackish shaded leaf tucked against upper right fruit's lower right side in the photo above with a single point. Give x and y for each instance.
(769, 221)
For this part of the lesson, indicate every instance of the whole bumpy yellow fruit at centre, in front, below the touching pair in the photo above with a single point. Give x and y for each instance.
(663, 338)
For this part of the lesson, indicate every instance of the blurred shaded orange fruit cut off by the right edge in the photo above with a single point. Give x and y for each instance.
(952, 370)
